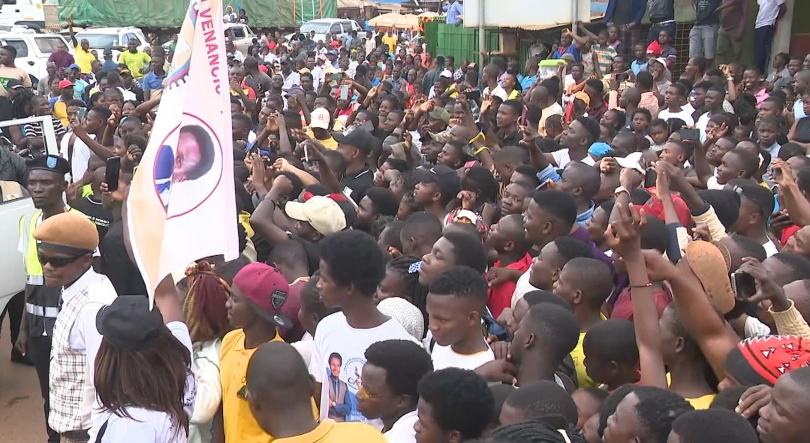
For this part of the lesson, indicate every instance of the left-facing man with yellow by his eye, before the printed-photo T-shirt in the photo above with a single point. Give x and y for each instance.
(391, 374)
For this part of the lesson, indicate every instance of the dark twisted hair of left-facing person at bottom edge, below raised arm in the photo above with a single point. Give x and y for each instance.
(656, 410)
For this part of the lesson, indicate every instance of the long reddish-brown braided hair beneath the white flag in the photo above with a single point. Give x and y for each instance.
(204, 307)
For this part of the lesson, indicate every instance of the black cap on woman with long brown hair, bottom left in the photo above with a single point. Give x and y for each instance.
(128, 324)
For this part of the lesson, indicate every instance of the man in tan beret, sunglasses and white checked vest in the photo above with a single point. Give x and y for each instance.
(66, 245)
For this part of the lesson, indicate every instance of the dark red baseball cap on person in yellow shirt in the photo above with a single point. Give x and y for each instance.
(266, 287)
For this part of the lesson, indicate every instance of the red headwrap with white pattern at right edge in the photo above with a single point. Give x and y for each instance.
(762, 360)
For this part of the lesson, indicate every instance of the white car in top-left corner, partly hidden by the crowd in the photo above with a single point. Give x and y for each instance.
(33, 49)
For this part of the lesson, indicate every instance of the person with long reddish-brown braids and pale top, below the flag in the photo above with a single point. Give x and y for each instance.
(207, 320)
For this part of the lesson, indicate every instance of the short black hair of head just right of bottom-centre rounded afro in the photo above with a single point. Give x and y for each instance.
(543, 399)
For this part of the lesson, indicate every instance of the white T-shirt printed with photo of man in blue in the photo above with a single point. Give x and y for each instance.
(337, 363)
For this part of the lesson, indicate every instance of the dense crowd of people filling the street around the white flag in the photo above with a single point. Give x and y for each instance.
(432, 252)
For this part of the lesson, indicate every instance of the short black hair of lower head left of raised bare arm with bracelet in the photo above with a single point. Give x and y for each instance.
(612, 340)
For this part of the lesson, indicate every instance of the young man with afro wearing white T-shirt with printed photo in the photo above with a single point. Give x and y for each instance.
(352, 266)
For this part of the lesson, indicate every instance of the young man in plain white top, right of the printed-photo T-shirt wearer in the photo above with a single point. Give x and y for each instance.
(455, 305)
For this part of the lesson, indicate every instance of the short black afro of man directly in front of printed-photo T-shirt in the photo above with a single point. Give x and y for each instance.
(404, 362)
